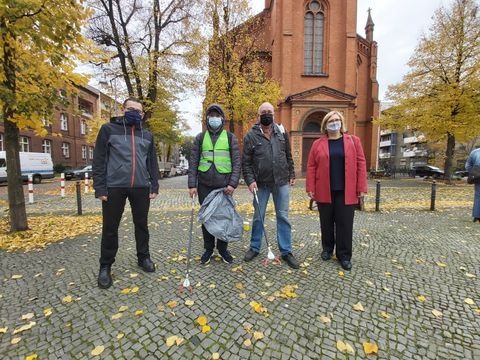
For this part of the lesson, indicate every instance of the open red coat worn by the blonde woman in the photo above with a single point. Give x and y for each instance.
(318, 170)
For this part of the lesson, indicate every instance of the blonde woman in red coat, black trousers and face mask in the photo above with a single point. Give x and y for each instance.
(336, 178)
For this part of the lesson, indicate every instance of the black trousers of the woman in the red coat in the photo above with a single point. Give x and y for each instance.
(336, 223)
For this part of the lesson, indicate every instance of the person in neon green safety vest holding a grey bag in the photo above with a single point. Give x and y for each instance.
(214, 163)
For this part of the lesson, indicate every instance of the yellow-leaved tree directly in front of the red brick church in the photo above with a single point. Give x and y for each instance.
(237, 78)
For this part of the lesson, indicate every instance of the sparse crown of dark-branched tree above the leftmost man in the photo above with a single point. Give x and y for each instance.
(147, 44)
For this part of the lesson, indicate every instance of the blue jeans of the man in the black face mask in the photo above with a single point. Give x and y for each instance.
(281, 199)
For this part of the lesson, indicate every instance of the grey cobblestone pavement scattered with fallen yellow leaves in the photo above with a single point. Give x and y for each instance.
(406, 264)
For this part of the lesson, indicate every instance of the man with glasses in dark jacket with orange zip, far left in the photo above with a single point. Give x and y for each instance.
(124, 166)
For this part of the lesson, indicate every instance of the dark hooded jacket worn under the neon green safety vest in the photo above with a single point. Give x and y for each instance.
(212, 178)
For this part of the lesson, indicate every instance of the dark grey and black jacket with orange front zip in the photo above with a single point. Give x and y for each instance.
(124, 156)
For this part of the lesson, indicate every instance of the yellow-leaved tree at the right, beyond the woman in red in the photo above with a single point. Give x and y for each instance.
(440, 95)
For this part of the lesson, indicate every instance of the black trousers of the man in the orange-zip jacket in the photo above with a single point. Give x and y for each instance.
(112, 211)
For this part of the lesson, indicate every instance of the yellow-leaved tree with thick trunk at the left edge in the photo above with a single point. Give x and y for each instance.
(39, 44)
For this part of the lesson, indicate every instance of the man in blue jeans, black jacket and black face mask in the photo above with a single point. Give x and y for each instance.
(268, 167)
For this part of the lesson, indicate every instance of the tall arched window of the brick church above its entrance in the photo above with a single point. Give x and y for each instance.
(313, 43)
